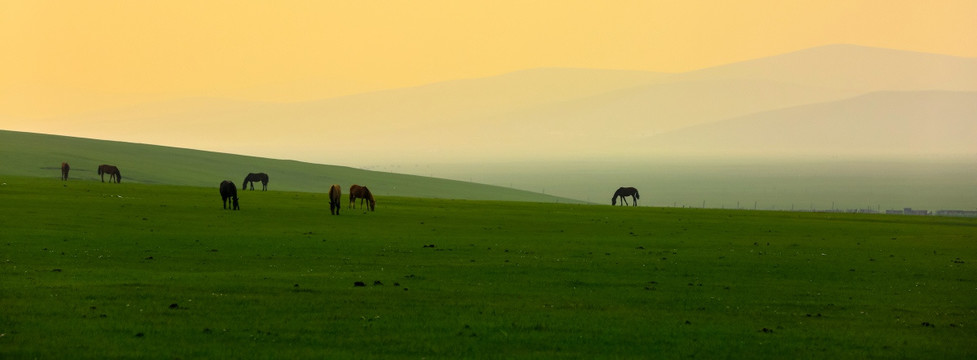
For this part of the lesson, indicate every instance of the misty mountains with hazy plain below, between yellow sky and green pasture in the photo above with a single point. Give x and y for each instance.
(843, 126)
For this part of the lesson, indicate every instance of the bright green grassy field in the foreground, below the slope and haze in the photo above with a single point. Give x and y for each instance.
(98, 270)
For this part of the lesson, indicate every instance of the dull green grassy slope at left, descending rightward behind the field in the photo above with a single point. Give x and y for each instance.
(27, 154)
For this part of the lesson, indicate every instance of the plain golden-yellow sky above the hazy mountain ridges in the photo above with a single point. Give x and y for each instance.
(61, 56)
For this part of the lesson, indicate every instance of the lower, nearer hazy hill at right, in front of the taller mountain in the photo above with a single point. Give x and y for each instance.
(880, 123)
